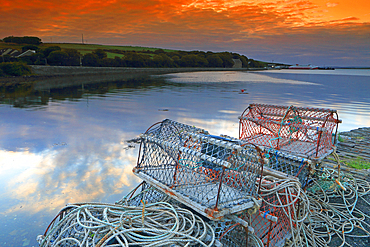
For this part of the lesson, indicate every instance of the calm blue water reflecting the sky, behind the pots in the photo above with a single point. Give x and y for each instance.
(69, 145)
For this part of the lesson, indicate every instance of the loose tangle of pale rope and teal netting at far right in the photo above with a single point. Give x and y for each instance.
(334, 196)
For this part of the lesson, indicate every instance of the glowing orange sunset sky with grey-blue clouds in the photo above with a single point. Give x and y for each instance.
(334, 31)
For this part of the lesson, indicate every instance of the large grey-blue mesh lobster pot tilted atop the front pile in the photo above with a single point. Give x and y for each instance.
(212, 175)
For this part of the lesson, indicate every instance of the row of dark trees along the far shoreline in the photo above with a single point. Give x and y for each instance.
(56, 56)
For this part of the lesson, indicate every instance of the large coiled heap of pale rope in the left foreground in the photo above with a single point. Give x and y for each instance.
(155, 224)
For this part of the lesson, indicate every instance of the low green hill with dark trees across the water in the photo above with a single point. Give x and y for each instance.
(95, 55)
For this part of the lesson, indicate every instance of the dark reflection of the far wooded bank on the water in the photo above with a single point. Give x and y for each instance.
(36, 94)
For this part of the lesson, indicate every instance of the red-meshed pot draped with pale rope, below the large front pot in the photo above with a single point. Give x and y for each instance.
(278, 218)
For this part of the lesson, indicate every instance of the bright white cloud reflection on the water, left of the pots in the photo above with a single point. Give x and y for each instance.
(51, 179)
